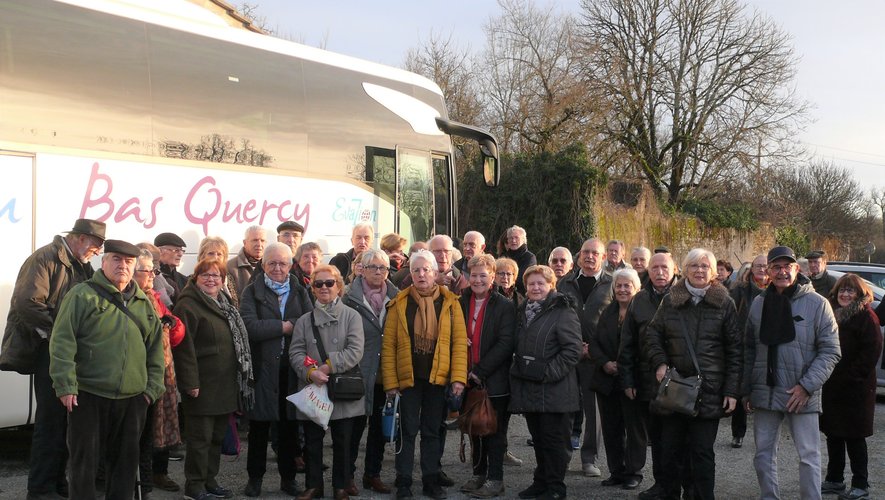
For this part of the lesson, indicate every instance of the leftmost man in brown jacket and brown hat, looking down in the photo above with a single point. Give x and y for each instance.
(43, 281)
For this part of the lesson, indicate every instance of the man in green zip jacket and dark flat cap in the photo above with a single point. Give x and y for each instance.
(106, 364)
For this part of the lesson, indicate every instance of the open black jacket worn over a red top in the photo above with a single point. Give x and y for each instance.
(496, 342)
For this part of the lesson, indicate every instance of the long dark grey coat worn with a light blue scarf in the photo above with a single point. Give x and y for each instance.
(260, 310)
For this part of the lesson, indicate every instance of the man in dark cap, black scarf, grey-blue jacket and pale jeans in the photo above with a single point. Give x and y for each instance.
(791, 348)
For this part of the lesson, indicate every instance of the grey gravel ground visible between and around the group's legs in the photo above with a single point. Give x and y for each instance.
(735, 478)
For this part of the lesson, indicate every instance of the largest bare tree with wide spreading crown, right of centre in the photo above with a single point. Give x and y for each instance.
(699, 91)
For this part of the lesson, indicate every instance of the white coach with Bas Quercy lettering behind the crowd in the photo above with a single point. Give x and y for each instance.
(158, 116)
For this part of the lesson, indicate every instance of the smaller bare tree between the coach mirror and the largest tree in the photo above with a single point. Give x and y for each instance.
(534, 100)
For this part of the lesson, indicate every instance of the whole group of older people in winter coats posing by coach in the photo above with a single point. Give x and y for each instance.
(142, 357)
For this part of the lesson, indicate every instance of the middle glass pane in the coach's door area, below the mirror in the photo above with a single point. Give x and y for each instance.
(414, 197)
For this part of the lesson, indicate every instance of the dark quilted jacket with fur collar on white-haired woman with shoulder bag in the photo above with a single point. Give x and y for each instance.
(712, 326)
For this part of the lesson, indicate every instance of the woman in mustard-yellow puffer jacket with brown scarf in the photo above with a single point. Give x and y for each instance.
(424, 351)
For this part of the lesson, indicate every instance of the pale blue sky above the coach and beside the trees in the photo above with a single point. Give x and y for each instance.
(841, 45)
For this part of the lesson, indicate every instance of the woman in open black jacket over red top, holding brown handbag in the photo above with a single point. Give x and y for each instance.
(491, 320)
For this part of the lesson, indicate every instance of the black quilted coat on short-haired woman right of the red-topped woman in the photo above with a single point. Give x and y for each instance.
(554, 337)
